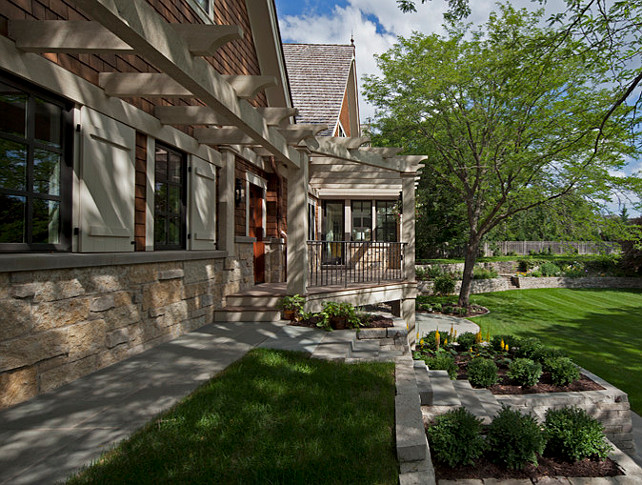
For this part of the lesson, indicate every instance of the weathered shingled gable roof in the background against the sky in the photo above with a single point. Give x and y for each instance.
(318, 75)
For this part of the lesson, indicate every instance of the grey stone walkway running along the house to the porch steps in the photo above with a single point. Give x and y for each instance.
(44, 440)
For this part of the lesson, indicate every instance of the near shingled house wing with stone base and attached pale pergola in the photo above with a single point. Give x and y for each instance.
(150, 167)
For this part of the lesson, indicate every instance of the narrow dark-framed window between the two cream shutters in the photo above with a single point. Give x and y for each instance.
(169, 198)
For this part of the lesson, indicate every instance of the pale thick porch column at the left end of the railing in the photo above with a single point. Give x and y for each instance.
(298, 227)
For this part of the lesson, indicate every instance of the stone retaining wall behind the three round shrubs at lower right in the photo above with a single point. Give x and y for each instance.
(610, 407)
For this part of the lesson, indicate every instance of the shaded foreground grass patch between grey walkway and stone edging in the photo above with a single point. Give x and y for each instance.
(272, 417)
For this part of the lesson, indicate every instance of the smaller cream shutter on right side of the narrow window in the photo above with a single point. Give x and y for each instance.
(202, 205)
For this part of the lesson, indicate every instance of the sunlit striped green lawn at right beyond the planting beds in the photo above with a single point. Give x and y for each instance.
(601, 330)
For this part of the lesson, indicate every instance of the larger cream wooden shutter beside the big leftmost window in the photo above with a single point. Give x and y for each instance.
(107, 188)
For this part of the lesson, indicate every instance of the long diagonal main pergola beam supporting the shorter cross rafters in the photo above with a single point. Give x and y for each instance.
(139, 26)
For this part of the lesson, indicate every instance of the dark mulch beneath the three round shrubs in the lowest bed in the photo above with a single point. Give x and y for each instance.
(547, 467)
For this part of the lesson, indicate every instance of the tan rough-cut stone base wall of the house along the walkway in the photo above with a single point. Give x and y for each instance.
(58, 325)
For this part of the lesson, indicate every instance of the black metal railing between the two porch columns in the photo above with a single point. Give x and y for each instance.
(349, 262)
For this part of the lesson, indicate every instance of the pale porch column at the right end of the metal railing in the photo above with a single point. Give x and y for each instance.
(408, 236)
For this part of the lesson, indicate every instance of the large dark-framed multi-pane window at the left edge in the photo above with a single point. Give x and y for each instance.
(35, 170)
